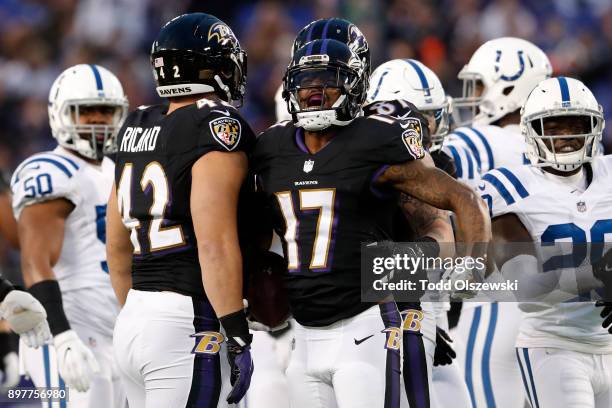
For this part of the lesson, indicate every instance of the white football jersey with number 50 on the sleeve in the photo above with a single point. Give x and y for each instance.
(81, 270)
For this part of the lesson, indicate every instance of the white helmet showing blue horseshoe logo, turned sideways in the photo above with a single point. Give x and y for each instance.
(505, 69)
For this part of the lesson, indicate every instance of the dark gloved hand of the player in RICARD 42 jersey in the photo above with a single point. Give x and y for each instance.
(241, 364)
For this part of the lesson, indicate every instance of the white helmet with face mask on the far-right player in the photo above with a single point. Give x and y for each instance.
(560, 97)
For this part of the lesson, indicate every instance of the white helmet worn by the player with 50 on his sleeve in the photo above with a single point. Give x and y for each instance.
(86, 85)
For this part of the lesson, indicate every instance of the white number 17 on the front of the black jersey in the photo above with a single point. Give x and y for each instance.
(315, 199)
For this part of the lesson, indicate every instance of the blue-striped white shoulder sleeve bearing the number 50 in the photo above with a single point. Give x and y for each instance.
(42, 177)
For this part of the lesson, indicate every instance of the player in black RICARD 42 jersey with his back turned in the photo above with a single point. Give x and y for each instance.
(172, 232)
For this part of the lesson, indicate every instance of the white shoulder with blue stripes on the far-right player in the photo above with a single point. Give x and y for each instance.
(502, 188)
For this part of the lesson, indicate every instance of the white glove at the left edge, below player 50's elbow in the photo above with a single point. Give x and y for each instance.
(26, 317)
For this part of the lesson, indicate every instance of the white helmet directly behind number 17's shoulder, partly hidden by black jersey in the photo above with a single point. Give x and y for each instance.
(412, 81)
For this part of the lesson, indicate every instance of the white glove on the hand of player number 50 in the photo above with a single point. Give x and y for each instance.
(77, 364)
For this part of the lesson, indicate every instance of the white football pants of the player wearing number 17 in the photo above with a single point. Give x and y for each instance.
(353, 363)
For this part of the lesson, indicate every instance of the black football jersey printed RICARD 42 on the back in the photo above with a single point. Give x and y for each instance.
(153, 179)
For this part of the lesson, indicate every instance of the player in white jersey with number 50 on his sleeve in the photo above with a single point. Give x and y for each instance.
(59, 200)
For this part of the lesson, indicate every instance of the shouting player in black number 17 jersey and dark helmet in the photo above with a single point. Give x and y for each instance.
(323, 174)
